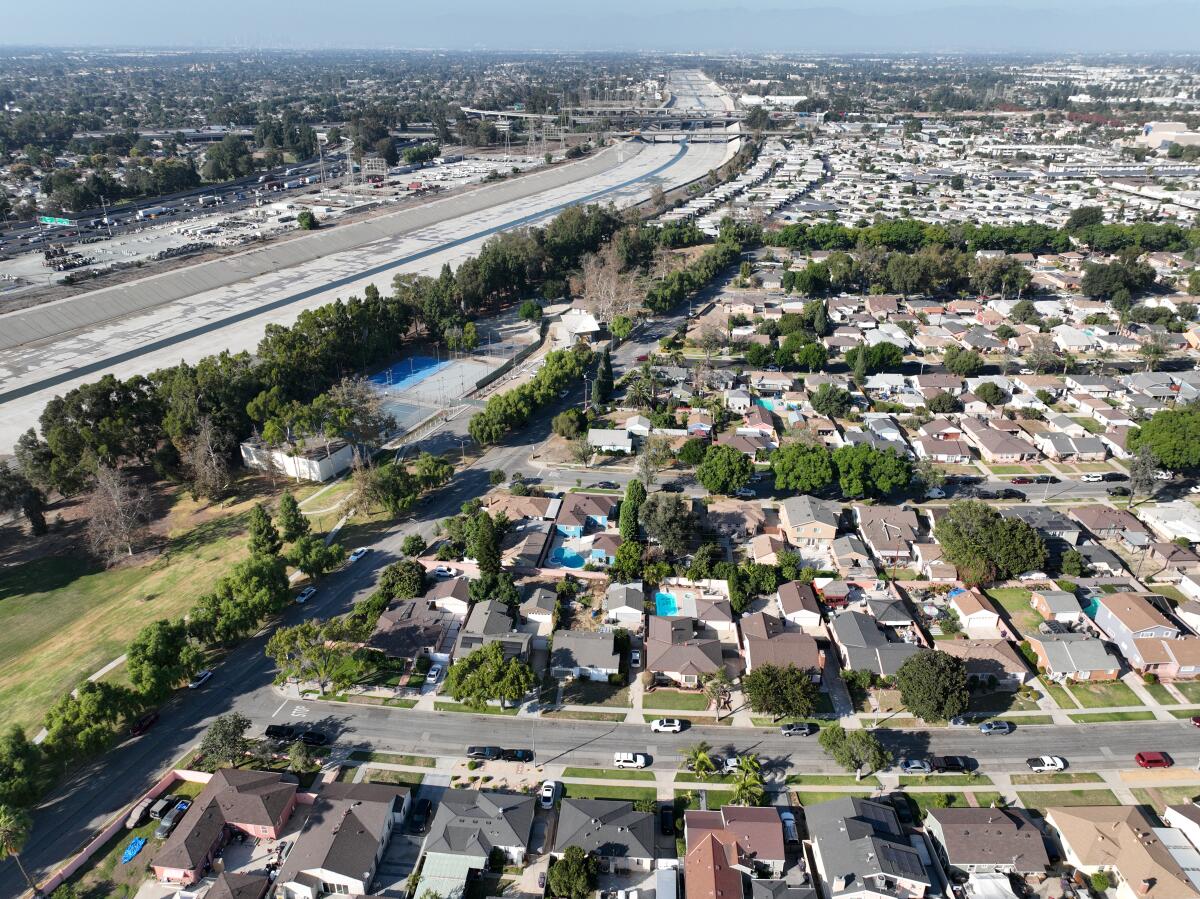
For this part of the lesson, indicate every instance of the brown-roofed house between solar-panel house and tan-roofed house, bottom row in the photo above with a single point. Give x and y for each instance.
(988, 841)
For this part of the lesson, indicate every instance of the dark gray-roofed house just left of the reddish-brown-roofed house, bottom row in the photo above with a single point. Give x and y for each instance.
(621, 838)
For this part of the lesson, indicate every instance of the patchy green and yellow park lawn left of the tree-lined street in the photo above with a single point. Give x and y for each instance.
(64, 618)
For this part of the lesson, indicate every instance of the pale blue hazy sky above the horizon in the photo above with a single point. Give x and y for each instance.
(782, 26)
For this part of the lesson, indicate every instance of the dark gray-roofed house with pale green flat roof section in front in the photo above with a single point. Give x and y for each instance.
(467, 828)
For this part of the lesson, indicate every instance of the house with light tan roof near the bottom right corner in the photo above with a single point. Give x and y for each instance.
(1121, 840)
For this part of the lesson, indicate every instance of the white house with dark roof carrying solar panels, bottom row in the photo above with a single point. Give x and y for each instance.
(862, 852)
